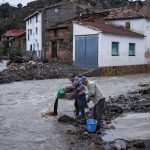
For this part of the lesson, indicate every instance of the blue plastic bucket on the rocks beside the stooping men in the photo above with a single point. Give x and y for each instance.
(91, 125)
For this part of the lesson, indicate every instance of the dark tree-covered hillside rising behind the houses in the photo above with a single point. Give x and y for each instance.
(13, 17)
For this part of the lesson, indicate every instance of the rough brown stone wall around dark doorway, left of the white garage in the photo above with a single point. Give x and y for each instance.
(63, 38)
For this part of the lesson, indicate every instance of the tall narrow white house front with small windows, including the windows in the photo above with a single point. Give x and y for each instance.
(34, 34)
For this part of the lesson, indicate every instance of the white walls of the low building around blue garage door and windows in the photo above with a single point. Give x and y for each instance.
(105, 57)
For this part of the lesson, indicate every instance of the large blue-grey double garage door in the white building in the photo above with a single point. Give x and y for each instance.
(86, 51)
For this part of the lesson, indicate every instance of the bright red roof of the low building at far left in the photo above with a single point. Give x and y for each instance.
(14, 33)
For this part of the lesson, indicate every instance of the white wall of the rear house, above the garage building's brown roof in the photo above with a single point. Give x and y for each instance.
(138, 25)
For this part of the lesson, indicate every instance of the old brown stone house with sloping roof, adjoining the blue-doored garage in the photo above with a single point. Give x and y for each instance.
(60, 42)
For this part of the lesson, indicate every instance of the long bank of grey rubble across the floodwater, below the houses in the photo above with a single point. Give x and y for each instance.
(36, 71)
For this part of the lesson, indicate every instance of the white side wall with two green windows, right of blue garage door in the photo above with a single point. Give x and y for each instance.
(105, 51)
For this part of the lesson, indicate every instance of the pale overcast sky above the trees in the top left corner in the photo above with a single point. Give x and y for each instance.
(15, 2)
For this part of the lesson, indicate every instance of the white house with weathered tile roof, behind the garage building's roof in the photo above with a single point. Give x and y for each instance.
(133, 21)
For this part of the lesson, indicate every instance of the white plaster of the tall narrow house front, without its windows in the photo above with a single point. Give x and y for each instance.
(34, 39)
